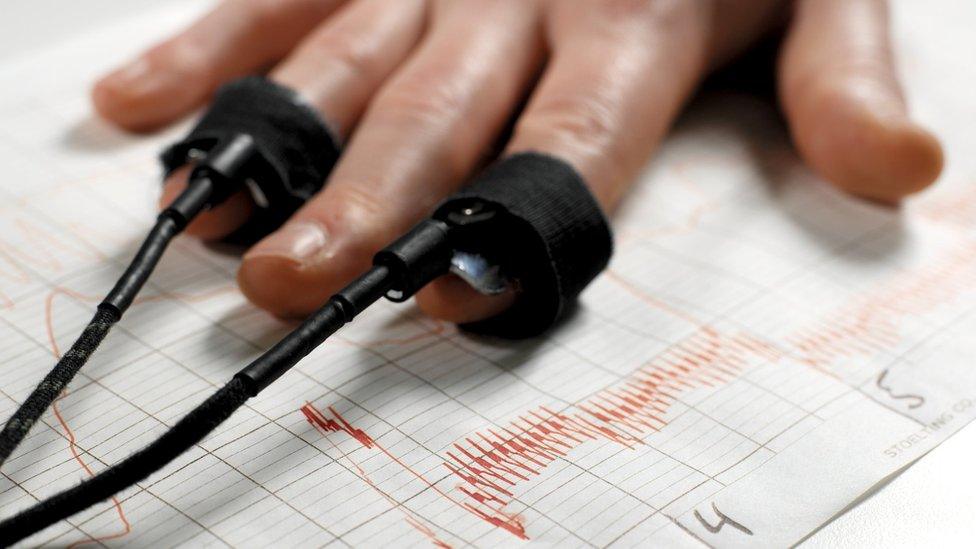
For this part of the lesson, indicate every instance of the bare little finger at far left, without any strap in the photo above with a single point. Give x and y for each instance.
(176, 76)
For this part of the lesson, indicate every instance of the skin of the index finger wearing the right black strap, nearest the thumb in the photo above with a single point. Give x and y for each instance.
(620, 73)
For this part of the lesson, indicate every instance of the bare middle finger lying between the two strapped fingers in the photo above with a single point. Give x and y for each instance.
(420, 138)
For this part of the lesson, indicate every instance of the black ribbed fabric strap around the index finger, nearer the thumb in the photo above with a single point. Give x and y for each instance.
(532, 214)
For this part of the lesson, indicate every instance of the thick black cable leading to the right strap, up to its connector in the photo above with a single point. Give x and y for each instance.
(339, 310)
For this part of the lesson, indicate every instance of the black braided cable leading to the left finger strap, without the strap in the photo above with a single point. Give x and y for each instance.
(169, 224)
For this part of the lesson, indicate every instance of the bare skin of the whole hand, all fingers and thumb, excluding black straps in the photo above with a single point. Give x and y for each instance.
(421, 90)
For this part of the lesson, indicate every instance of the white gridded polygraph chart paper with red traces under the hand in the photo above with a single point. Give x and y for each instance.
(760, 353)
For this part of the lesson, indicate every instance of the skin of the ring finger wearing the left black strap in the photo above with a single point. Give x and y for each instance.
(337, 69)
